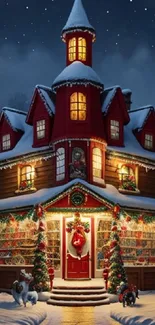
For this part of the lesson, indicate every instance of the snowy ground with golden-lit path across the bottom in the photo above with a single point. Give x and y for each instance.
(142, 313)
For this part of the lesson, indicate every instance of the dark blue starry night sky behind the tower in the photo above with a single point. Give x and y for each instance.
(31, 50)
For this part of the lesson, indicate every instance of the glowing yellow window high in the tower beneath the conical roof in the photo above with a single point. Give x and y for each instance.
(77, 49)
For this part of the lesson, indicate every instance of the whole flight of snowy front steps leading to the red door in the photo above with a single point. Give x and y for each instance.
(78, 296)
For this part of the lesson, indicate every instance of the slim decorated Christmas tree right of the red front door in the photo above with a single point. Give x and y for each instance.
(117, 272)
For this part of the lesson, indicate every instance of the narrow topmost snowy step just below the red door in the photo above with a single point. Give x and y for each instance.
(78, 291)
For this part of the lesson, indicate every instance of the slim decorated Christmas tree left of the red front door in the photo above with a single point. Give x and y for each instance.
(40, 269)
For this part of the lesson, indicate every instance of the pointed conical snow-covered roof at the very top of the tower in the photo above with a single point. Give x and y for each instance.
(78, 19)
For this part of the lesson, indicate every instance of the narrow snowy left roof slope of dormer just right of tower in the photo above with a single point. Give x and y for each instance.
(108, 96)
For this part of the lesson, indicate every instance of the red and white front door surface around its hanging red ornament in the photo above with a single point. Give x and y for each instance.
(77, 267)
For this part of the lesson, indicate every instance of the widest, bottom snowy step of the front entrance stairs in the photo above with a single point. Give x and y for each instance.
(75, 303)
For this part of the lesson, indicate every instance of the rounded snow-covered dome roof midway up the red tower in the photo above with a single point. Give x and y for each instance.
(77, 73)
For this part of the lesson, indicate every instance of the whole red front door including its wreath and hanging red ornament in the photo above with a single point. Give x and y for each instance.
(78, 248)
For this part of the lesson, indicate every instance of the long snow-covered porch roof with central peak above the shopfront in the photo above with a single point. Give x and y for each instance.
(110, 193)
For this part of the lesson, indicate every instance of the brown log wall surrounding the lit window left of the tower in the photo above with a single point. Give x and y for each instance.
(44, 178)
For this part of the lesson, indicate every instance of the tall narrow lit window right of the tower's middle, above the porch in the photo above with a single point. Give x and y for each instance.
(97, 163)
